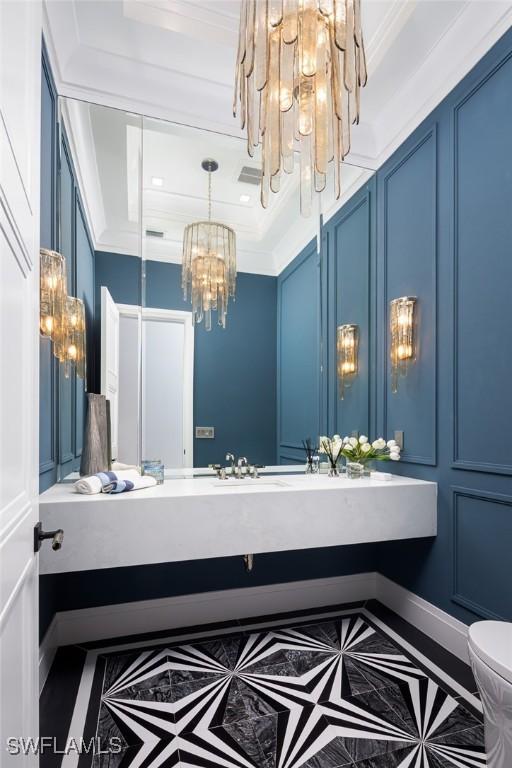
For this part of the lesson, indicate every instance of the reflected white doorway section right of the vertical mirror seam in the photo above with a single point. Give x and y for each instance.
(167, 402)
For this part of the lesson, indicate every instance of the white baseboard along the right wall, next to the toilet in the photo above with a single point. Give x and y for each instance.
(449, 632)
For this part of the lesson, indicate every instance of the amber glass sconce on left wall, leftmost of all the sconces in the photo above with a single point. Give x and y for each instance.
(52, 291)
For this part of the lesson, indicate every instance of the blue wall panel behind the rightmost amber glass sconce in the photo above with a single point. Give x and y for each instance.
(408, 236)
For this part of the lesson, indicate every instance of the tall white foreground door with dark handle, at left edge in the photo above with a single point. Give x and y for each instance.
(20, 85)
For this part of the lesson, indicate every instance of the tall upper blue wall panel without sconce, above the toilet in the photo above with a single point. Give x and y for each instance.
(483, 275)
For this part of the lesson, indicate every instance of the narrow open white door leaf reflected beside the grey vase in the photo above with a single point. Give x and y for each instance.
(110, 362)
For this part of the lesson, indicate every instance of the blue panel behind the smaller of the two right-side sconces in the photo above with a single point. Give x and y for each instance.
(349, 267)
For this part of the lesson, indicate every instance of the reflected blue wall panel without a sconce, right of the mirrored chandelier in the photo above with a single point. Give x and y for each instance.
(299, 402)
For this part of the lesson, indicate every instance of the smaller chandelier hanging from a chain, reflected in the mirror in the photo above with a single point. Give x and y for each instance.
(209, 263)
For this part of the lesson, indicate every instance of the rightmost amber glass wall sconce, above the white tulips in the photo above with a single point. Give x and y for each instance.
(402, 331)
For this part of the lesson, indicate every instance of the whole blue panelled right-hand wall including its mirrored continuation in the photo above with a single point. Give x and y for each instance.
(435, 223)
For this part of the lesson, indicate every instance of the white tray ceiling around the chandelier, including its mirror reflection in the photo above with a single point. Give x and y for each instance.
(174, 59)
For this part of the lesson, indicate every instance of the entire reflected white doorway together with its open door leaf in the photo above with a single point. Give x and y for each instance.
(167, 382)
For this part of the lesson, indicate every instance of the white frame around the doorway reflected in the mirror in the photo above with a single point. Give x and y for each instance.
(185, 318)
